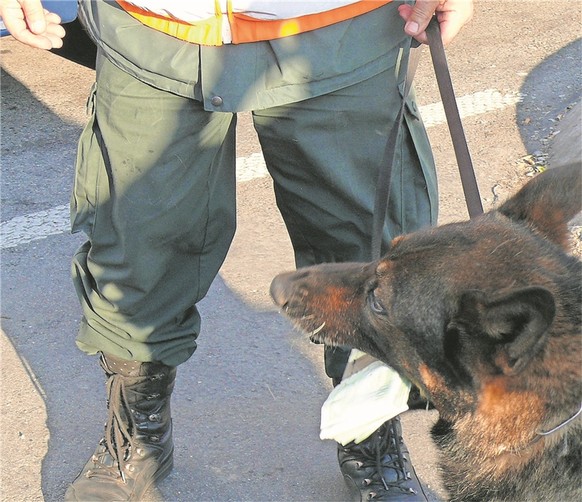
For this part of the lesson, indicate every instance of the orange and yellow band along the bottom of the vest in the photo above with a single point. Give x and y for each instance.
(245, 28)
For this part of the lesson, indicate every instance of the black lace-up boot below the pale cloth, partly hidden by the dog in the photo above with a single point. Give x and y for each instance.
(379, 467)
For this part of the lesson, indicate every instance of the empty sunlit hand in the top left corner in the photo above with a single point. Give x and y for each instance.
(29, 23)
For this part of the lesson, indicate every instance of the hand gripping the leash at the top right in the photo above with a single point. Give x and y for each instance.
(452, 15)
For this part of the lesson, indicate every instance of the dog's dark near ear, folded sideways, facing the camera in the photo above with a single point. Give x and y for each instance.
(515, 324)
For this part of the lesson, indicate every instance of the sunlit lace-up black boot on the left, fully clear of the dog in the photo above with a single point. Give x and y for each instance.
(137, 448)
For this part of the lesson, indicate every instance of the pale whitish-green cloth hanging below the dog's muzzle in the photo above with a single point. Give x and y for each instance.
(361, 403)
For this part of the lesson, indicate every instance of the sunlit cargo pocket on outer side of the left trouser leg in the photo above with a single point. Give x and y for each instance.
(88, 166)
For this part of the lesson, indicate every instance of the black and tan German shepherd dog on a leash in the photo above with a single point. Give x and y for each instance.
(484, 317)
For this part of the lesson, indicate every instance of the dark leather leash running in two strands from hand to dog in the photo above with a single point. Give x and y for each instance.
(464, 162)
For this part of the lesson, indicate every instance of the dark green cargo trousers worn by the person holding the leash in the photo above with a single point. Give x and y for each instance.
(155, 193)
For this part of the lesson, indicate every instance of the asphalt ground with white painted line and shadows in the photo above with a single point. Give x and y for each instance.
(246, 406)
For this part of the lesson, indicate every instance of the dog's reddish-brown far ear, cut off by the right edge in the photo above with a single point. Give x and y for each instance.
(548, 202)
